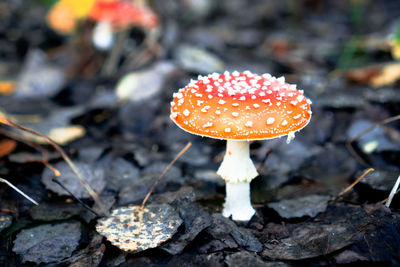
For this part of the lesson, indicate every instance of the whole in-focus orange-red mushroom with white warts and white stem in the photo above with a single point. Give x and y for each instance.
(240, 107)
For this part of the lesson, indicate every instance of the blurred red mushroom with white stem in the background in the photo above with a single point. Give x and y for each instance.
(112, 15)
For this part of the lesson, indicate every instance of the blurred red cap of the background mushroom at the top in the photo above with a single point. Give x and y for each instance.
(123, 13)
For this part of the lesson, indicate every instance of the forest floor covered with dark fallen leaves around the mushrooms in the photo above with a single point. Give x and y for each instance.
(343, 54)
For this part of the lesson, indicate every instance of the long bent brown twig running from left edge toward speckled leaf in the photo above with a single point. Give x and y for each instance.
(91, 192)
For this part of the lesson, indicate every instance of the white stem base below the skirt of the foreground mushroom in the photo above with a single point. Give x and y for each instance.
(237, 202)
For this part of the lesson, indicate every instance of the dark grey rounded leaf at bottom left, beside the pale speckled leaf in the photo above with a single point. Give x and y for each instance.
(48, 243)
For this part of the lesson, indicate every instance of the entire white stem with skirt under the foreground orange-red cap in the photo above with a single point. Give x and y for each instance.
(237, 169)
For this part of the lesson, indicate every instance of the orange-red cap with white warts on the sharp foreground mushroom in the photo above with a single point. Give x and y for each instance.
(240, 106)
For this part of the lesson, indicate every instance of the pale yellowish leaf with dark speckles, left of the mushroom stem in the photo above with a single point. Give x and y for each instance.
(121, 228)
